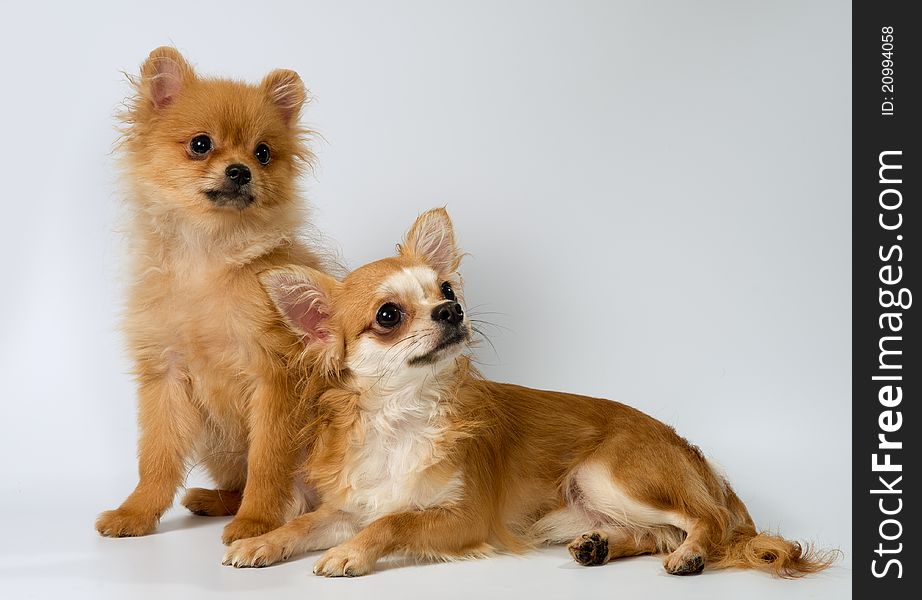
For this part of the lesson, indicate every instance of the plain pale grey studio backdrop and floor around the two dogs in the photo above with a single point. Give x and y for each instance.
(655, 196)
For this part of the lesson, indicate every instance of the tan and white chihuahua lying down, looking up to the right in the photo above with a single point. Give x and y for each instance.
(412, 452)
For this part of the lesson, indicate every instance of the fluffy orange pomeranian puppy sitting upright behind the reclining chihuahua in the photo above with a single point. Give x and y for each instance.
(211, 168)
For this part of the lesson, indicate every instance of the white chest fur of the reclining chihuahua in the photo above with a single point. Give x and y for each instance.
(391, 468)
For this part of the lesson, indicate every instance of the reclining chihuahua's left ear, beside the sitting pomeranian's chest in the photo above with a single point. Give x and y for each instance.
(302, 296)
